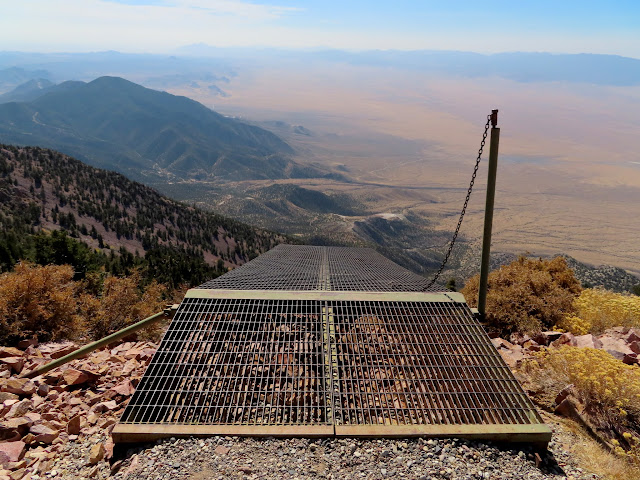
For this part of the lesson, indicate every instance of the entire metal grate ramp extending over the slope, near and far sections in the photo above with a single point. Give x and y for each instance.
(327, 361)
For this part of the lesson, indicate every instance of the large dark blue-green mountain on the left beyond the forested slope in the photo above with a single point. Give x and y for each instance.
(146, 134)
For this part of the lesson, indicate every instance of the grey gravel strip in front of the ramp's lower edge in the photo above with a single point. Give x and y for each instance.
(251, 458)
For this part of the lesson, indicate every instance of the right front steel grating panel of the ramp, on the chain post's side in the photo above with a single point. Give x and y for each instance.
(414, 363)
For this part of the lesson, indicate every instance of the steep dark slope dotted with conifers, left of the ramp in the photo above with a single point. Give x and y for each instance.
(43, 190)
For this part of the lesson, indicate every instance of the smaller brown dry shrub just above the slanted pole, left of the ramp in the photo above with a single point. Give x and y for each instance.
(121, 304)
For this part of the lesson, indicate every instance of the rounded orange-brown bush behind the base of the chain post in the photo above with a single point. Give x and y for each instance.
(527, 295)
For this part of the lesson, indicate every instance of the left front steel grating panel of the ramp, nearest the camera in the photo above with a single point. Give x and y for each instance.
(235, 362)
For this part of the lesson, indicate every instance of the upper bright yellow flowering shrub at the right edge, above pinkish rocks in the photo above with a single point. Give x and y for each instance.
(599, 309)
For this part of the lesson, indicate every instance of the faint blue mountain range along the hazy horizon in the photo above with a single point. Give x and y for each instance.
(208, 65)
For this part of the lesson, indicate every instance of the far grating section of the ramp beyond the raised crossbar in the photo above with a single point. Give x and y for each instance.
(302, 267)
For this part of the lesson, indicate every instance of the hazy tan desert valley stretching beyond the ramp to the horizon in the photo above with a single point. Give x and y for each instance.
(380, 150)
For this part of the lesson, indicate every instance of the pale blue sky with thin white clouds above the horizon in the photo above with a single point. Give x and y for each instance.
(160, 26)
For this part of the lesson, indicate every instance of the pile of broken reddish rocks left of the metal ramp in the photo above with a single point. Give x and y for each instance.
(59, 424)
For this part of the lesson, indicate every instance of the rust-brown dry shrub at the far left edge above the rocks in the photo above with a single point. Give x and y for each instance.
(38, 301)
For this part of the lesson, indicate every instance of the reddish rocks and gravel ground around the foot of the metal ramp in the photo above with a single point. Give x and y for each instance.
(58, 426)
